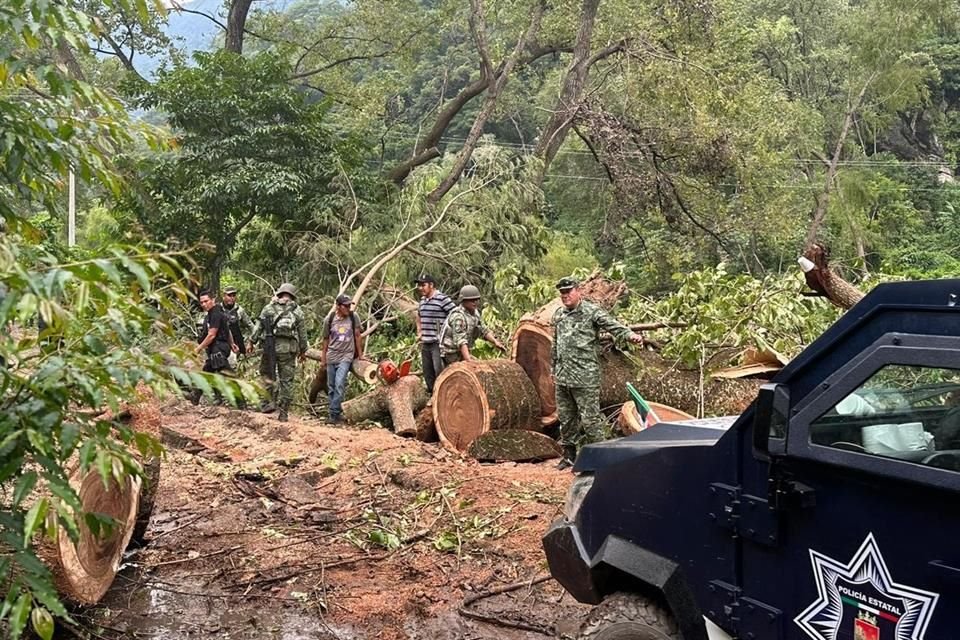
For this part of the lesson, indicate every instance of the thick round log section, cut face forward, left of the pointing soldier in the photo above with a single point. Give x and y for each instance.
(474, 397)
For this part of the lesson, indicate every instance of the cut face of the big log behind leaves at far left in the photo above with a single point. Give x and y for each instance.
(83, 572)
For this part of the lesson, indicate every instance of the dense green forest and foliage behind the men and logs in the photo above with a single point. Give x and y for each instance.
(693, 148)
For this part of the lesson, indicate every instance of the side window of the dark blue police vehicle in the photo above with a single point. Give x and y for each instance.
(905, 412)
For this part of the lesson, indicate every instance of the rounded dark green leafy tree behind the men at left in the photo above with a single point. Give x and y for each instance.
(249, 146)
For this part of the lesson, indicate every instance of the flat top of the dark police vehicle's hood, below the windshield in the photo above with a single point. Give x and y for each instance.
(699, 433)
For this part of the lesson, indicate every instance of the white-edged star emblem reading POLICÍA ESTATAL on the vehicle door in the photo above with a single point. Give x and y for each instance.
(864, 585)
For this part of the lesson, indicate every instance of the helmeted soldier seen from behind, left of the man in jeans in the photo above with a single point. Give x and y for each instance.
(290, 340)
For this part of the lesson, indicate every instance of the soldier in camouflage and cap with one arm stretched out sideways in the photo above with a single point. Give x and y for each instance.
(575, 359)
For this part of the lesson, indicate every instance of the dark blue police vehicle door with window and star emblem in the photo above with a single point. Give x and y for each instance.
(865, 501)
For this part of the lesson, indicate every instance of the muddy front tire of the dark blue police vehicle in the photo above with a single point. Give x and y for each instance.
(628, 616)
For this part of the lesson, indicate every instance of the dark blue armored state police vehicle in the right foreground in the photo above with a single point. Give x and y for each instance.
(829, 510)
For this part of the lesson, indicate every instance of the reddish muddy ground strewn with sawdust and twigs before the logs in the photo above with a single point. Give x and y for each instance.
(299, 530)
